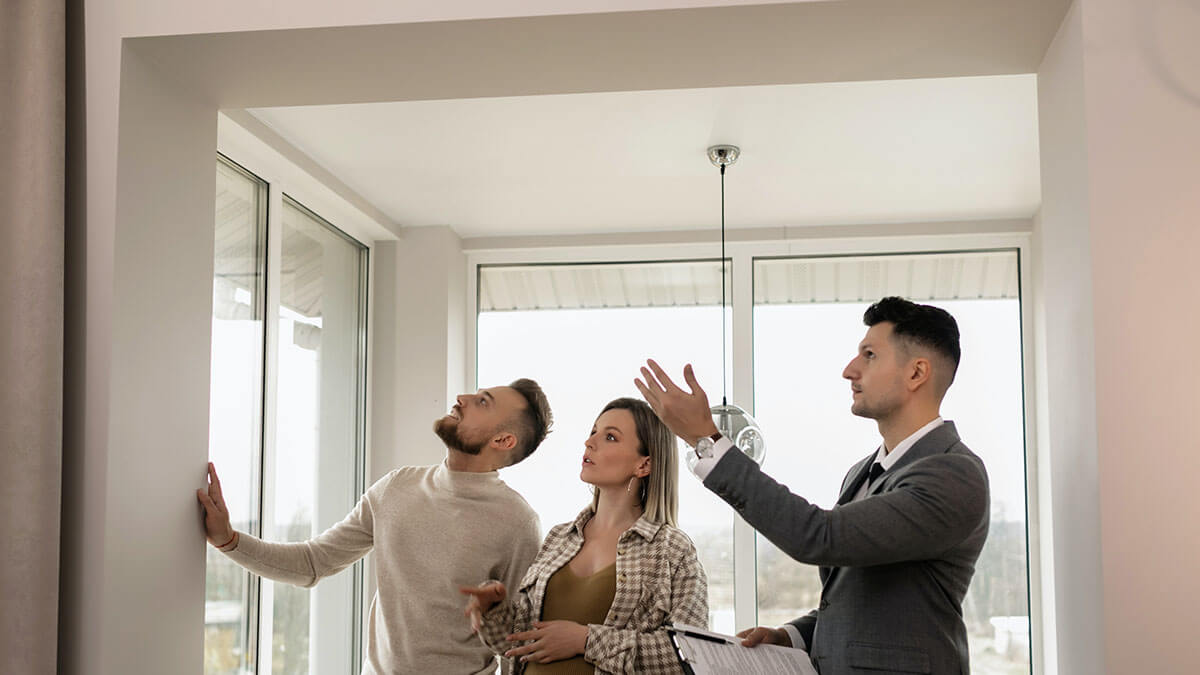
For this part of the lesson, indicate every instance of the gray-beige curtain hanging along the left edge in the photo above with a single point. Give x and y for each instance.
(32, 265)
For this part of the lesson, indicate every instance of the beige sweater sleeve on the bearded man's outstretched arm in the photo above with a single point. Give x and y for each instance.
(304, 564)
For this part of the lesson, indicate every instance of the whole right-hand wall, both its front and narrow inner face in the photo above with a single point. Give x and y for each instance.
(1120, 98)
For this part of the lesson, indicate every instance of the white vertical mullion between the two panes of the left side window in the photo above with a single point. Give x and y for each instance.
(271, 402)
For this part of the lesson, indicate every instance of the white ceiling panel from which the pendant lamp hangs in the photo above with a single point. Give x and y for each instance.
(813, 154)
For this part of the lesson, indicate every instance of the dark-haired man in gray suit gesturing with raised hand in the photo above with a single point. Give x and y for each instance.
(898, 552)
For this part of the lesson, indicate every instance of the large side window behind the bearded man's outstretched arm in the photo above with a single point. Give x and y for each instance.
(289, 425)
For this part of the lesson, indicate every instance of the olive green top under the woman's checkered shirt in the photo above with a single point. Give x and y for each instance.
(583, 600)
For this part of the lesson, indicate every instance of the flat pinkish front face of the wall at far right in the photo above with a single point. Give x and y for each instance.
(1142, 89)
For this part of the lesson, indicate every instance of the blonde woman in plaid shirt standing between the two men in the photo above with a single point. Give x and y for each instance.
(603, 588)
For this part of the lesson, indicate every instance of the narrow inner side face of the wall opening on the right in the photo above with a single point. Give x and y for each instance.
(1066, 380)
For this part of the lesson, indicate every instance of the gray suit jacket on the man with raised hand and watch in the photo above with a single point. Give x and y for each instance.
(895, 566)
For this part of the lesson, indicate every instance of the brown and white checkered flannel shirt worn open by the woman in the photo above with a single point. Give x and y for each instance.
(659, 581)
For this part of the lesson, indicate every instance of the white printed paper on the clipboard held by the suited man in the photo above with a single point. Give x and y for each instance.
(713, 654)
